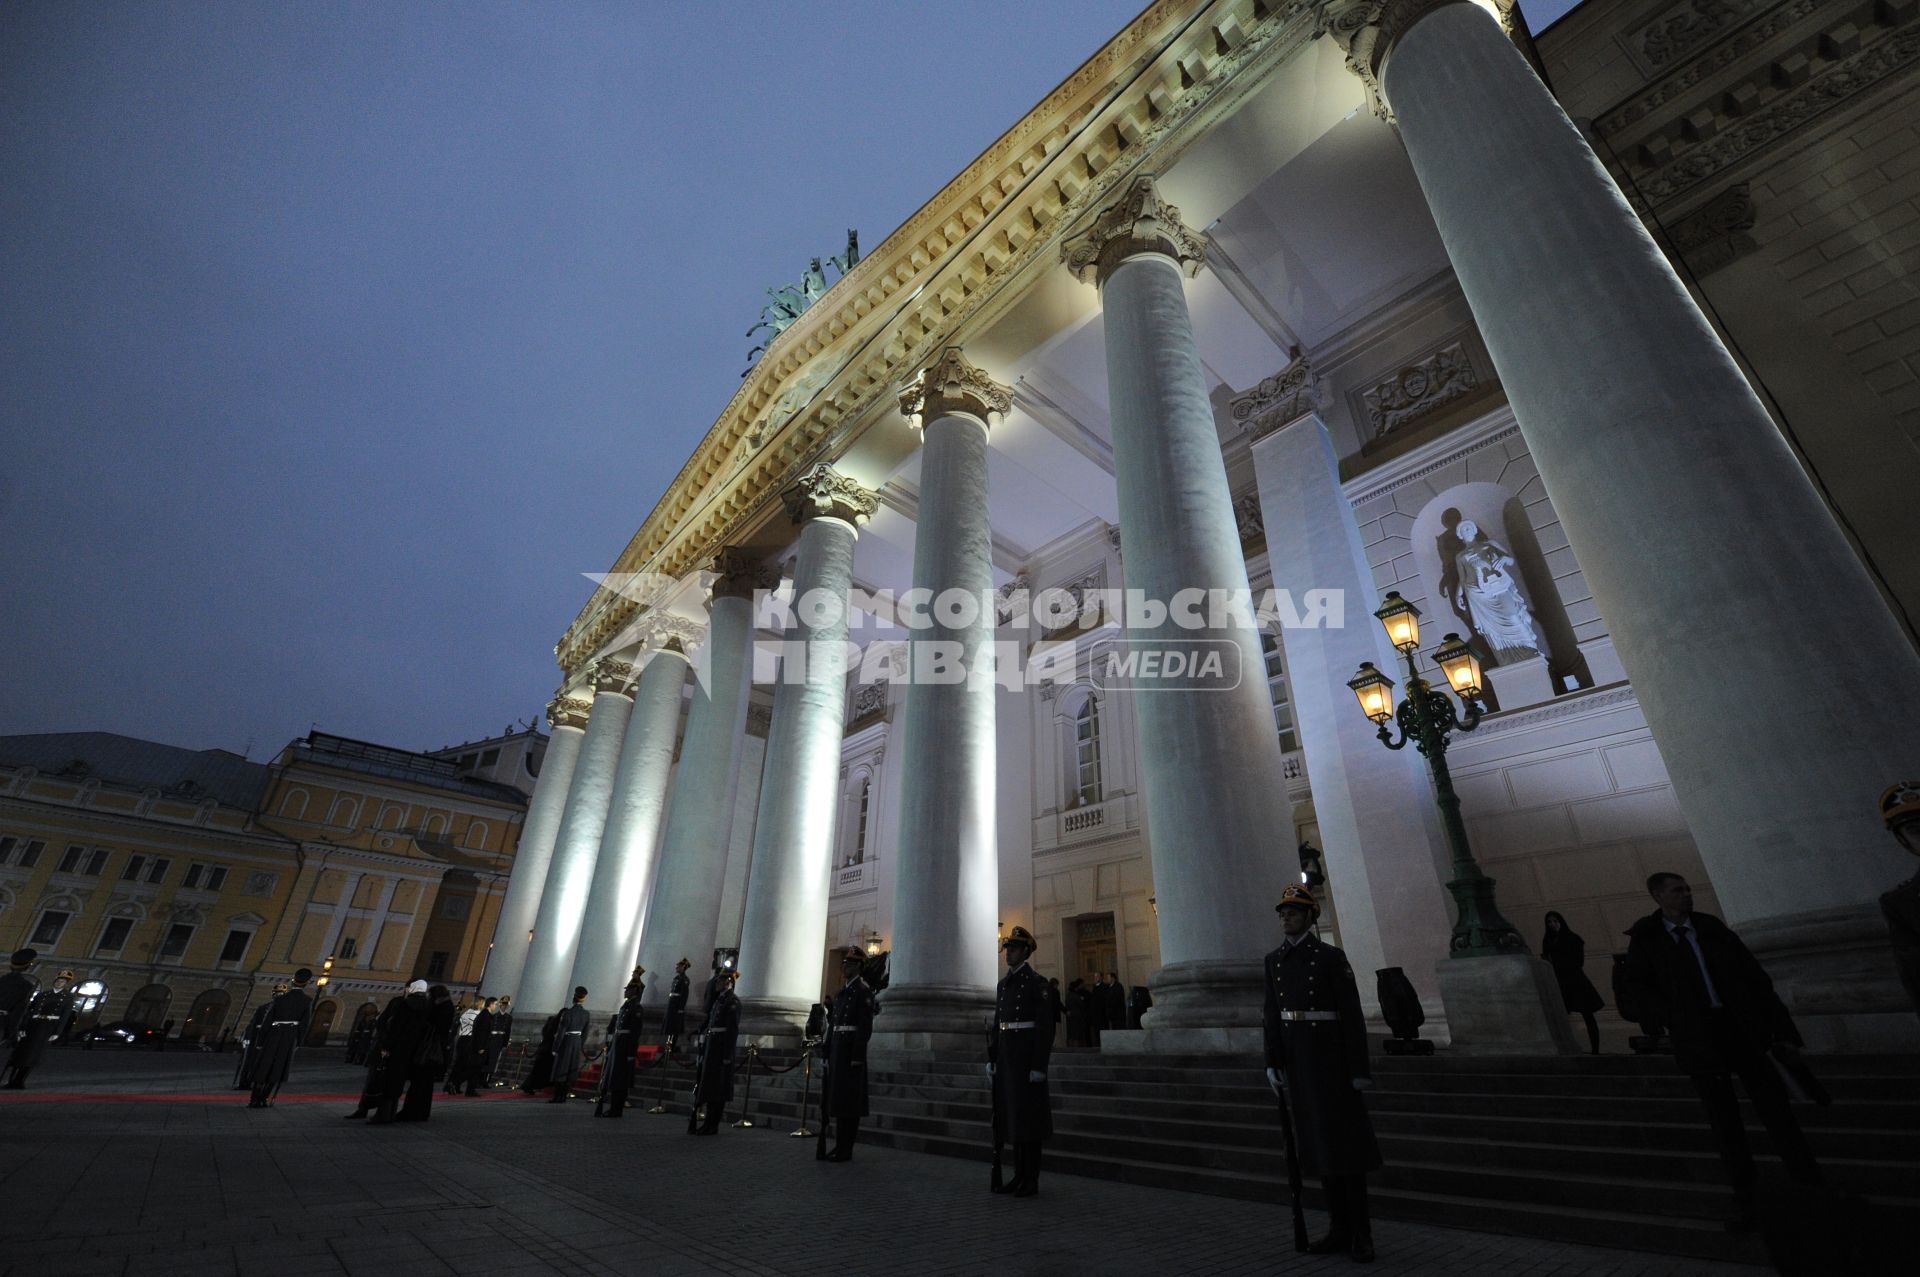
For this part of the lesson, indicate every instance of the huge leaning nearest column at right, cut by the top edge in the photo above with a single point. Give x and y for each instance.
(1777, 683)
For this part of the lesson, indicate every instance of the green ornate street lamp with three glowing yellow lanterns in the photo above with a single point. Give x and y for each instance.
(1428, 719)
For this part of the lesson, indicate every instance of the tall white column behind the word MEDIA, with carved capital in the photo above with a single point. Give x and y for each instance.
(1222, 852)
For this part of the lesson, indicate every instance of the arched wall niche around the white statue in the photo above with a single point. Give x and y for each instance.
(1502, 519)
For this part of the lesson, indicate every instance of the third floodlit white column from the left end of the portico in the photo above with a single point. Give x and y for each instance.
(629, 855)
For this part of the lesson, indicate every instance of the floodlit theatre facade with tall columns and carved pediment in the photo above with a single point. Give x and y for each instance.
(1307, 304)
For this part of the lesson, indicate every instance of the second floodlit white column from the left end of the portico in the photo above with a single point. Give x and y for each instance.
(564, 904)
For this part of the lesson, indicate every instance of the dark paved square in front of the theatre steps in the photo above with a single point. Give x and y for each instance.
(143, 1165)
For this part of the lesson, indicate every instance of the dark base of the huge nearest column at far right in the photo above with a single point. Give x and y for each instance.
(1835, 971)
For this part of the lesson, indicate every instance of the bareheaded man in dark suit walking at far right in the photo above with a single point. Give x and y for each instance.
(1725, 1019)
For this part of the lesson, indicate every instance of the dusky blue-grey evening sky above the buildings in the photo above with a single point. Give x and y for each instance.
(337, 341)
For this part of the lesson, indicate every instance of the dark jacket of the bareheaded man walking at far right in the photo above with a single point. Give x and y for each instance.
(1671, 994)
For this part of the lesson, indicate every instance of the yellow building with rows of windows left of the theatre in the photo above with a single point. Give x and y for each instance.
(187, 882)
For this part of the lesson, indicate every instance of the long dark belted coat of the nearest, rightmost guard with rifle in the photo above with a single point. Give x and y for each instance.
(1322, 1055)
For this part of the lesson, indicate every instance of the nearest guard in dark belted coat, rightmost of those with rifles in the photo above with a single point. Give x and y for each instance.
(1318, 1065)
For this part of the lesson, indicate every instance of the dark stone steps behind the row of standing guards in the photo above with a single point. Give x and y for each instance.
(1606, 1151)
